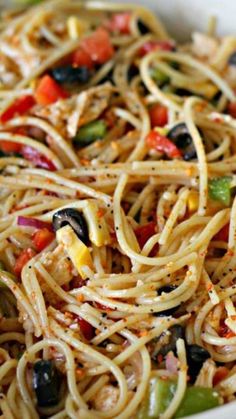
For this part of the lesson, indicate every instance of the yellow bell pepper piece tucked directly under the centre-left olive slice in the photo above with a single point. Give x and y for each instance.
(77, 251)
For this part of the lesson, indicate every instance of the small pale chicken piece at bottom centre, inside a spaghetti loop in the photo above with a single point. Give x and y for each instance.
(106, 398)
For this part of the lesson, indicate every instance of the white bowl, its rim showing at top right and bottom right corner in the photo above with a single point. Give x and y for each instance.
(182, 17)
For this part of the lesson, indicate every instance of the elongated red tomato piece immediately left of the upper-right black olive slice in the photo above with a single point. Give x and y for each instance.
(158, 142)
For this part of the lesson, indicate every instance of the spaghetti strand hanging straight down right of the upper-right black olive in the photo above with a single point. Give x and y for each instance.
(202, 164)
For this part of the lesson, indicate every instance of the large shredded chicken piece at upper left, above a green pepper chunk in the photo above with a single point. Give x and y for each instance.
(69, 114)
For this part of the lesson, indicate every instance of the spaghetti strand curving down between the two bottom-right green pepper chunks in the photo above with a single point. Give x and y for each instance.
(181, 383)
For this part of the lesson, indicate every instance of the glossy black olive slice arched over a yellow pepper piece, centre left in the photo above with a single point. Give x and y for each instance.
(75, 219)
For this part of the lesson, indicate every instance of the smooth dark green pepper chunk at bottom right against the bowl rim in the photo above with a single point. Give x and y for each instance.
(196, 400)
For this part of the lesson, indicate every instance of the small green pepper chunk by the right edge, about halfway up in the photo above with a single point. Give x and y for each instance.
(219, 189)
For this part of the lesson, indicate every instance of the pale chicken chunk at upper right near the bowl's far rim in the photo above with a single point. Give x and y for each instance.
(204, 46)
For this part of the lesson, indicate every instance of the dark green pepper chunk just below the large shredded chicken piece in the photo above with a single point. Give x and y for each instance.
(90, 132)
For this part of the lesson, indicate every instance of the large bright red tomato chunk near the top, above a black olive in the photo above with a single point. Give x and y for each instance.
(98, 46)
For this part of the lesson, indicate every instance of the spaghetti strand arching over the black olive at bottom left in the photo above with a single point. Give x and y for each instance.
(70, 371)
